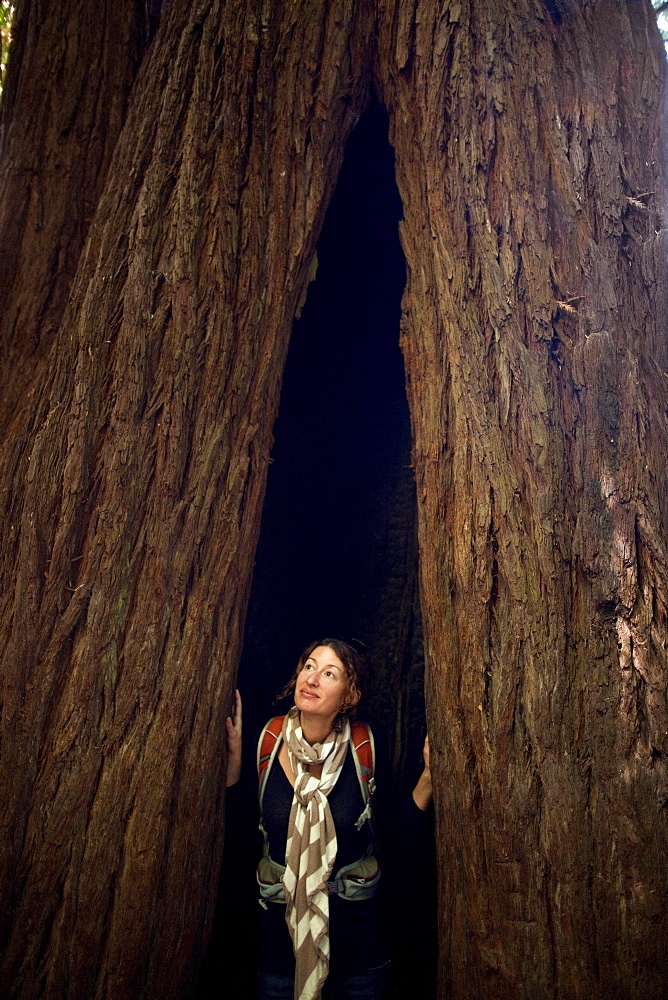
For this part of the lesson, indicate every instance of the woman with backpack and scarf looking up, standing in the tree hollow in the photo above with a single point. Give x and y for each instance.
(319, 876)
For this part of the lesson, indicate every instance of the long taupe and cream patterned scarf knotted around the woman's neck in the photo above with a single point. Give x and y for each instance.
(310, 852)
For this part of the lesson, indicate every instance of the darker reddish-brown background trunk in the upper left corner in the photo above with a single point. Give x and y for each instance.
(70, 71)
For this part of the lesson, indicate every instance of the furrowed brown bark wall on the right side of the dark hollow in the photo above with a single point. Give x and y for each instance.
(530, 153)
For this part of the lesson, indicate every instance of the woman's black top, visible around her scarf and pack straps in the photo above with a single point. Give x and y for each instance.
(356, 932)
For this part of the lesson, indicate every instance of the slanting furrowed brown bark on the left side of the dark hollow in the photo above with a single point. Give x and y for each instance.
(132, 515)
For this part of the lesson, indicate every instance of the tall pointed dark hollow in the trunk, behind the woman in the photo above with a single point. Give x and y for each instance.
(337, 554)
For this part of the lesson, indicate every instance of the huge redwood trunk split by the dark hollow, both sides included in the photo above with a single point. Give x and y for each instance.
(529, 147)
